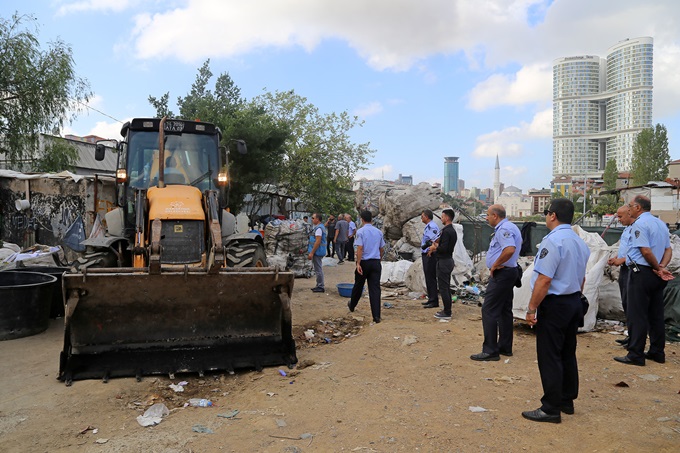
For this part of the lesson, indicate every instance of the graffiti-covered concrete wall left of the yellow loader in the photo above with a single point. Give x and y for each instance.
(56, 203)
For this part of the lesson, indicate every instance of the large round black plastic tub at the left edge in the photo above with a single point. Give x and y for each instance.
(25, 299)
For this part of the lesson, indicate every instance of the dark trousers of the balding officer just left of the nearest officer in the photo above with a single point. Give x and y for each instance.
(497, 311)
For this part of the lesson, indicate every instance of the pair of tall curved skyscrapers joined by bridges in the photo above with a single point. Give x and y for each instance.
(599, 107)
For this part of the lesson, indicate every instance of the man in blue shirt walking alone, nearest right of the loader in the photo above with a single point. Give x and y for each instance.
(370, 248)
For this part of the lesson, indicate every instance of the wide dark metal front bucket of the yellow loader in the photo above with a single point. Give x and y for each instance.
(123, 322)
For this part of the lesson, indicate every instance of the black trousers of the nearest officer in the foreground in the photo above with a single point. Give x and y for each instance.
(557, 323)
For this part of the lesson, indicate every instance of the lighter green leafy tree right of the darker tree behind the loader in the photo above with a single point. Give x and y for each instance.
(321, 159)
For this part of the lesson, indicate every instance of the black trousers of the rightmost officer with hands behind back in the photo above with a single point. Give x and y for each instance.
(645, 312)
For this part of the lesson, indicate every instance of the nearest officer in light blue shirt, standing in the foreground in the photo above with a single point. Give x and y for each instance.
(556, 310)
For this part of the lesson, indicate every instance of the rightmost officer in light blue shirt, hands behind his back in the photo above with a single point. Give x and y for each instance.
(649, 253)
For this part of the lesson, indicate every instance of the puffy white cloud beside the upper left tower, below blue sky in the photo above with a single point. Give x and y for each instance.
(530, 84)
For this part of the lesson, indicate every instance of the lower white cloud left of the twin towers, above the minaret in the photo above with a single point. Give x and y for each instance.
(507, 142)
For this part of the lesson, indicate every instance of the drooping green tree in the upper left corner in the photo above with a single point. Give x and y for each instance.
(39, 89)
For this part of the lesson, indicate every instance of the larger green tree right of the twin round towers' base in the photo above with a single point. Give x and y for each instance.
(650, 156)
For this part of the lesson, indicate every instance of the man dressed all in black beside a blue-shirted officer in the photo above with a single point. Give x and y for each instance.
(443, 248)
